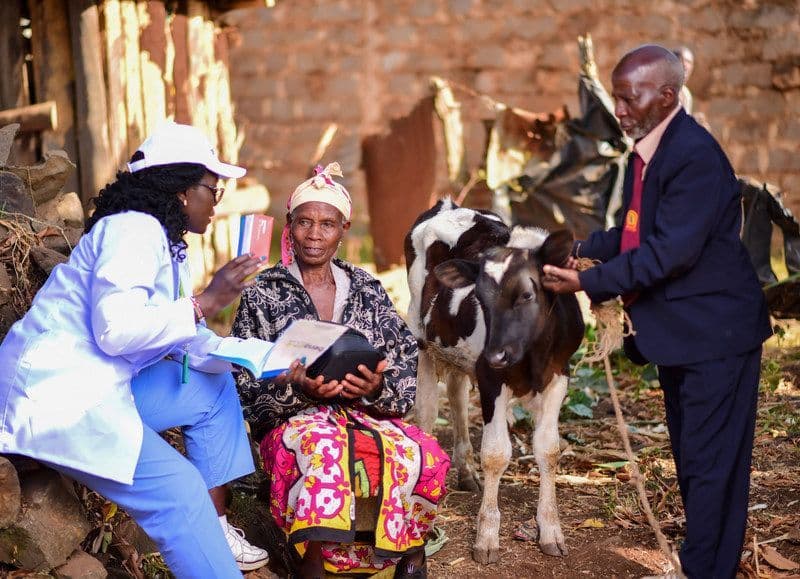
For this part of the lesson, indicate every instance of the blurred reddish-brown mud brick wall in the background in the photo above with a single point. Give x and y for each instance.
(304, 64)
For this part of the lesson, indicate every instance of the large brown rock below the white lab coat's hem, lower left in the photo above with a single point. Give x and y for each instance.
(50, 526)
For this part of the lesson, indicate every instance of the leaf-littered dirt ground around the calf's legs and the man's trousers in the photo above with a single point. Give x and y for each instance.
(605, 532)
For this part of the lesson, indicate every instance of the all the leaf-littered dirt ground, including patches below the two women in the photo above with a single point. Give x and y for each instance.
(605, 531)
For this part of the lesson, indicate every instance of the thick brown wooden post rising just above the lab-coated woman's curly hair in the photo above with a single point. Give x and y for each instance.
(90, 95)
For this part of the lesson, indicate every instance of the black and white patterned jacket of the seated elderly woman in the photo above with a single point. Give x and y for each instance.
(277, 298)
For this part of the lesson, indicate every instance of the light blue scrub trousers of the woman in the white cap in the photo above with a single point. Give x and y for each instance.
(169, 495)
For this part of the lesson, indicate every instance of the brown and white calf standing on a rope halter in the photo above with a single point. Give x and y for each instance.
(481, 315)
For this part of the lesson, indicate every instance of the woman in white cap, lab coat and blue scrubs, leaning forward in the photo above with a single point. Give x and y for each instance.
(114, 350)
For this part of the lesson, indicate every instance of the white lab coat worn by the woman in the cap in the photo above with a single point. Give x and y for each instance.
(66, 367)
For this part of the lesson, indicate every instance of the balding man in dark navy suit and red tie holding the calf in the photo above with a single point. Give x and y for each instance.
(693, 298)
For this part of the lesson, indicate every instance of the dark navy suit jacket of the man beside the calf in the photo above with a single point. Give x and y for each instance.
(699, 298)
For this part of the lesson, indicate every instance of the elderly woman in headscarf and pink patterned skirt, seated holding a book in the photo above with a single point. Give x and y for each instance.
(326, 444)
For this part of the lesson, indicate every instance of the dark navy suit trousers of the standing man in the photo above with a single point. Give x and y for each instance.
(711, 415)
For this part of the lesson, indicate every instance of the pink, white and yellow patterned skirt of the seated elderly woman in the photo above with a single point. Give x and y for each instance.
(322, 459)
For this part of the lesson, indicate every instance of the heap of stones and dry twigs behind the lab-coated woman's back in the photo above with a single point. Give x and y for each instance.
(40, 223)
